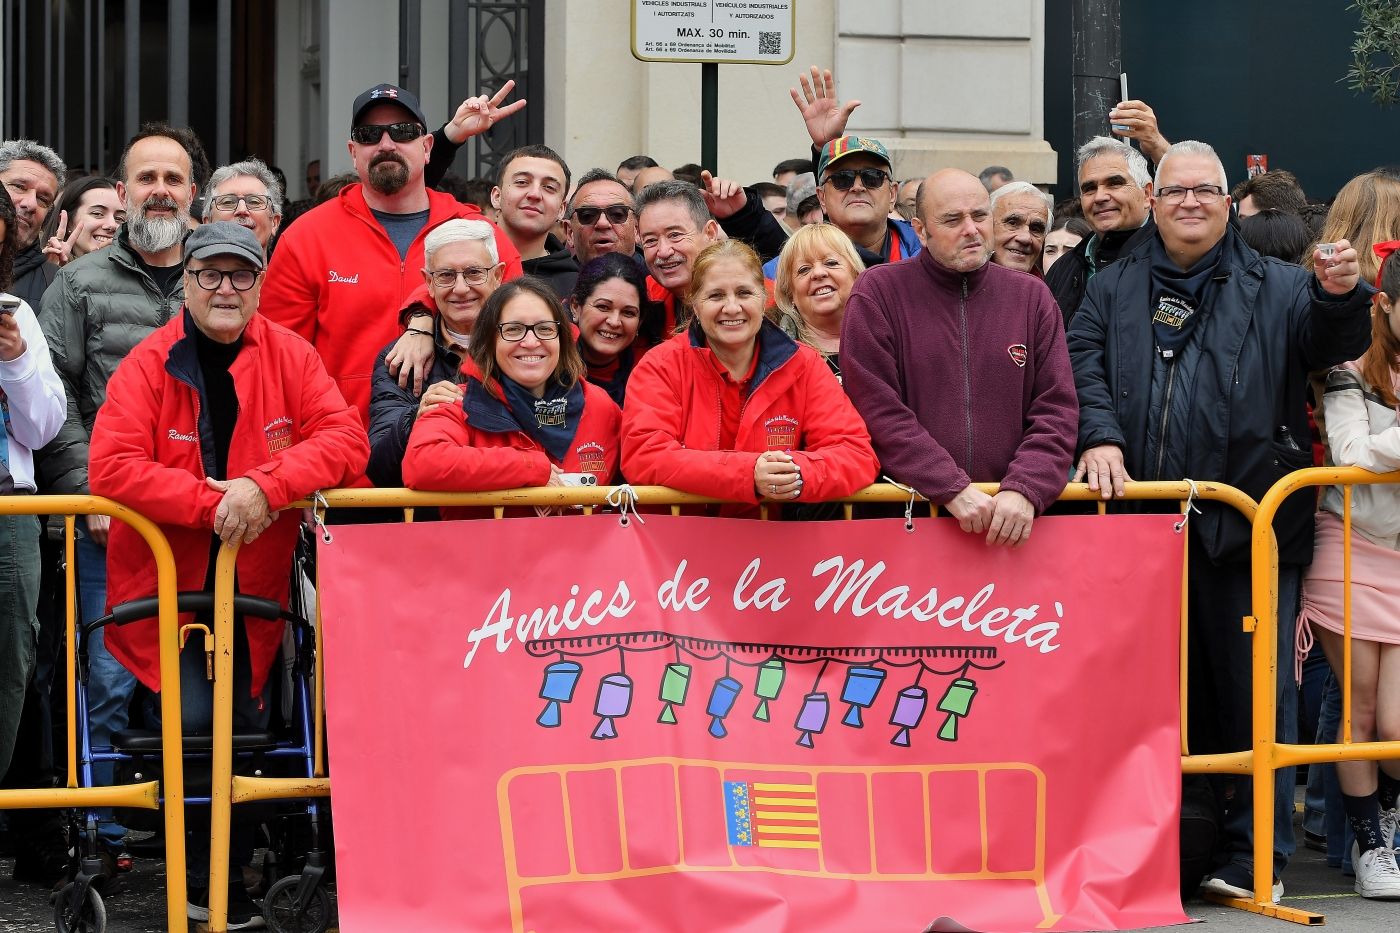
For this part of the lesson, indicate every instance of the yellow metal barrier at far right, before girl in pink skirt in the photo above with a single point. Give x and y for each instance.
(1269, 754)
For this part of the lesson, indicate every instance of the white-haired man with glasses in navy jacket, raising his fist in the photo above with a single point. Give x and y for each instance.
(1192, 355)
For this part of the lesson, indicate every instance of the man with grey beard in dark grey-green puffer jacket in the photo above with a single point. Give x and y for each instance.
(99, 307)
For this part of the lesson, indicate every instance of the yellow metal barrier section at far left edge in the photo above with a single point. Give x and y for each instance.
(142, 795)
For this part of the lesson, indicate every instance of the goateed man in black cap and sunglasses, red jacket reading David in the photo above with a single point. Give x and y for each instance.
(342, 272)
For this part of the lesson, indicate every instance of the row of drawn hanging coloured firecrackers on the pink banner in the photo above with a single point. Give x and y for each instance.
(867, 670)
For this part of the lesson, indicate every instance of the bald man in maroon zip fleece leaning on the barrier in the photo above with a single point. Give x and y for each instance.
(961, 372)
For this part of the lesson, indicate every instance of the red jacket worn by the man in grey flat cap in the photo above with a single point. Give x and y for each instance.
(152, 450)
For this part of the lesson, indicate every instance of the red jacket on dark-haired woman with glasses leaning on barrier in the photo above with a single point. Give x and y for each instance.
(450, 452)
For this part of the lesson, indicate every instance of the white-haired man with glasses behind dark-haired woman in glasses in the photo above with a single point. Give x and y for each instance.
(461, 270)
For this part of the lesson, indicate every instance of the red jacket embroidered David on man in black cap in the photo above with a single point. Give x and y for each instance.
(337, 279)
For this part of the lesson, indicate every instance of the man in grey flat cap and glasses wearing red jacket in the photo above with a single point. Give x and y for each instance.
(212, 428)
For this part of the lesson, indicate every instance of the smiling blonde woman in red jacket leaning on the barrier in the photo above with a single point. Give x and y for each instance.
(734, 408)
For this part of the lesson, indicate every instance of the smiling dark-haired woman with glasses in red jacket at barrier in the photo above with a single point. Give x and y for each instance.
(527, 415)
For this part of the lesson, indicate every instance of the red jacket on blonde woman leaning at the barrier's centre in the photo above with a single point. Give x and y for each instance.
(671, 425)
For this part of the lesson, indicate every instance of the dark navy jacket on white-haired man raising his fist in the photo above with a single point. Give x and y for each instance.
(1266, 329)
